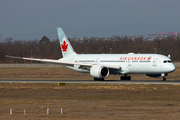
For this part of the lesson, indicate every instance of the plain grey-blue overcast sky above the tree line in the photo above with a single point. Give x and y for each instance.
(31, 19)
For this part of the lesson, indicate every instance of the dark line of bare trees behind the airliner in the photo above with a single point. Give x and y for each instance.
(50, 49)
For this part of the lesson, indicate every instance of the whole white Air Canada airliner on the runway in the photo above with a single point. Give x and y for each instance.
(101, 65)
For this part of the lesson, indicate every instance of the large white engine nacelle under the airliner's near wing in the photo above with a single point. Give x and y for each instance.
(99, 71)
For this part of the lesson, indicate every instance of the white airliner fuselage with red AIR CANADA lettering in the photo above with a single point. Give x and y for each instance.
(130, 63)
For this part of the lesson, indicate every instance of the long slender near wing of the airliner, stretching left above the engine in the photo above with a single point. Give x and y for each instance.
(85, 66)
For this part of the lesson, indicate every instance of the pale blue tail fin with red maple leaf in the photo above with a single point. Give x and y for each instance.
(65, 45)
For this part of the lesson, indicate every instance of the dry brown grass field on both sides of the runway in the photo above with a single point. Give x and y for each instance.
(85, 101)
